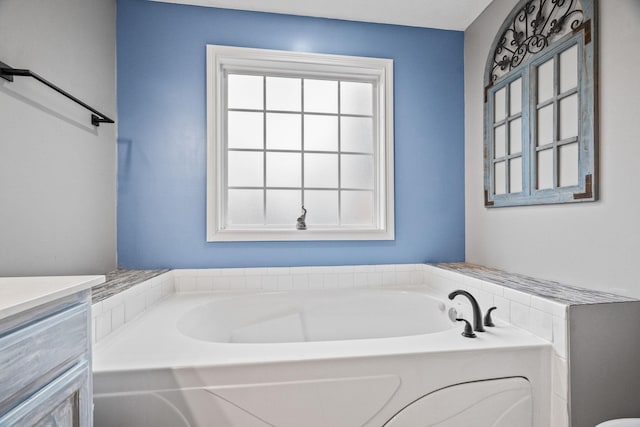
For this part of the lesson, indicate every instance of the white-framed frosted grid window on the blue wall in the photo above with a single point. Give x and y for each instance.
(290, 130)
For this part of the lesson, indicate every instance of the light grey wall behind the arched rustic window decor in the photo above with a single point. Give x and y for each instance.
(594, 245)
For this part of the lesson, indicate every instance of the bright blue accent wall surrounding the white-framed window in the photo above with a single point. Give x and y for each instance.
(162, 135)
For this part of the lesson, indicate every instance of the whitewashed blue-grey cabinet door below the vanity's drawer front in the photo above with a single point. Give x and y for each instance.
(64, 402)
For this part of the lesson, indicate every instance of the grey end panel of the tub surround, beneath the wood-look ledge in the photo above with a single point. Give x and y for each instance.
(604, 378)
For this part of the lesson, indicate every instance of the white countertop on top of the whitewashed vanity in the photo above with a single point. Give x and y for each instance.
(18, 294)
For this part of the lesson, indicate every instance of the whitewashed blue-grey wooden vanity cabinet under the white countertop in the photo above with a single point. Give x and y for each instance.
(45, 363)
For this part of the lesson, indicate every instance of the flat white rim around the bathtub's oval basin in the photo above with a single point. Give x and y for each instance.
(125, 351)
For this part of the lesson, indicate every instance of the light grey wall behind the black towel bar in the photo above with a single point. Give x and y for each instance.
(57, 172)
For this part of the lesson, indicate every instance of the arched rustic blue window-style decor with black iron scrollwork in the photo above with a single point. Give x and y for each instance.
(539, 106)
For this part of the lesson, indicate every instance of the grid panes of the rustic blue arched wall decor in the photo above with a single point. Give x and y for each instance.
(556, 127)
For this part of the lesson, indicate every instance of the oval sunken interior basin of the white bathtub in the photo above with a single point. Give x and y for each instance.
(303, 316)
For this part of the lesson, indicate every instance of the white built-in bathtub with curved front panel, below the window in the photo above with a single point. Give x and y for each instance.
(334, 358)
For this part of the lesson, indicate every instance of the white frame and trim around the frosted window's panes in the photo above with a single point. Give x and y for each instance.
(228, 58)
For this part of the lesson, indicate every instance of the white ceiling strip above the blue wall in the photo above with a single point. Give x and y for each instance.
(445, 14)
